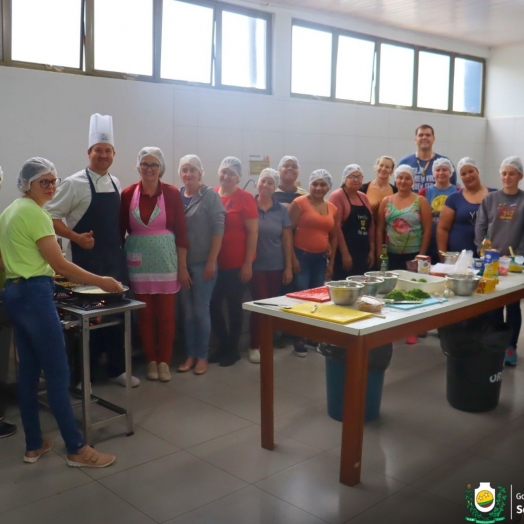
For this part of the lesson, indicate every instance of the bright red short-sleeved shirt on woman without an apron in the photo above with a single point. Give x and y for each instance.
(240, 206)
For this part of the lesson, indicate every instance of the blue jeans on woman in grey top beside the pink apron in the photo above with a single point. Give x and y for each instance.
(195, 311)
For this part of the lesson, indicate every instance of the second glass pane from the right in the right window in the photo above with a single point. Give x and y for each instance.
(433, 80)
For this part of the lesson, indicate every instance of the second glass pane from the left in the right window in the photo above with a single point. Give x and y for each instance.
(355, 64)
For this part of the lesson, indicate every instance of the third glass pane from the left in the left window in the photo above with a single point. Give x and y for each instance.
(185, 57)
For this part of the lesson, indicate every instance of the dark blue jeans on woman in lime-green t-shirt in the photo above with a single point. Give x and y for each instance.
(40, 344)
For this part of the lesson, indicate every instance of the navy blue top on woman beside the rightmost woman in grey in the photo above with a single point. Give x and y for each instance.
(462, 232)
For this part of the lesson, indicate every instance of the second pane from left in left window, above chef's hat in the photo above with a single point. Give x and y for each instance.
(124, 36)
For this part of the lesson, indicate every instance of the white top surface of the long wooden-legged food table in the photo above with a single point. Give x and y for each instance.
(394, 317)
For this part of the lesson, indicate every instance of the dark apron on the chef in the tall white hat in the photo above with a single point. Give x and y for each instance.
(103, 218)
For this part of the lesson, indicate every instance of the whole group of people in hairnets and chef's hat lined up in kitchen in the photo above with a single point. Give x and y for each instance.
(207, 244)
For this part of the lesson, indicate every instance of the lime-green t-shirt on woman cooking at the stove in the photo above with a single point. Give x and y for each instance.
(21, 225)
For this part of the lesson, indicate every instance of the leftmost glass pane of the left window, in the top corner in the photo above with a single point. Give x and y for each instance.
(47, 32)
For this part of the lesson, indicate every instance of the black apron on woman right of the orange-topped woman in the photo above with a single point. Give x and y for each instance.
(356, 234)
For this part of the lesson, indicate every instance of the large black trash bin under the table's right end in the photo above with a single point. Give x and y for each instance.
(475, 351)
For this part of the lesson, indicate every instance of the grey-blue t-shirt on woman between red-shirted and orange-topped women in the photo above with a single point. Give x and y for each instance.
(270, 255)
